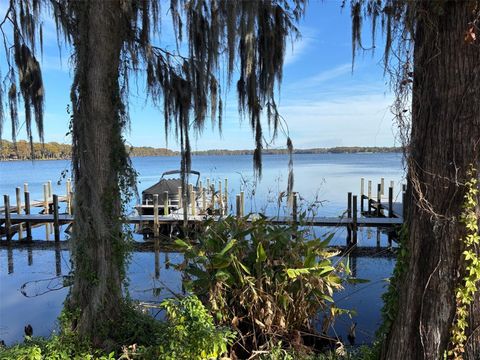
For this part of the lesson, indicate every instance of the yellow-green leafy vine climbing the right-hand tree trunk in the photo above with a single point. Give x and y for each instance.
(466, 290)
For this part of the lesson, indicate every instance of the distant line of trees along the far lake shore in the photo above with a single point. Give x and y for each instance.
(55, 151)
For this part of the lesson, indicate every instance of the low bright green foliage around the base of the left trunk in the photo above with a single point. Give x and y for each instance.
(188, 334)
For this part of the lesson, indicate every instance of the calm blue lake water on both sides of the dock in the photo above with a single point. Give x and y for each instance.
(31, 289)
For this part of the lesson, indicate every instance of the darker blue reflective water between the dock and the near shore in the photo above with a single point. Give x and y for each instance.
(37, 285)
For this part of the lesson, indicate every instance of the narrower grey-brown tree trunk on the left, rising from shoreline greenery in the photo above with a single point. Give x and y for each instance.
(98, 155)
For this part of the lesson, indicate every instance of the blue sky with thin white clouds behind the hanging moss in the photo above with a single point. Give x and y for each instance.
(323, 102)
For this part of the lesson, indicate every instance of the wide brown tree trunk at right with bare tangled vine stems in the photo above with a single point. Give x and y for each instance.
(445, 141)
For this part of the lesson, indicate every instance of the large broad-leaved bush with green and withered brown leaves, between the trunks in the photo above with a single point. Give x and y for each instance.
(267, 281)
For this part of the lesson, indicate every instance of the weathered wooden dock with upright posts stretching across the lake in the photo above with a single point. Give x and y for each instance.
(207, 203)
